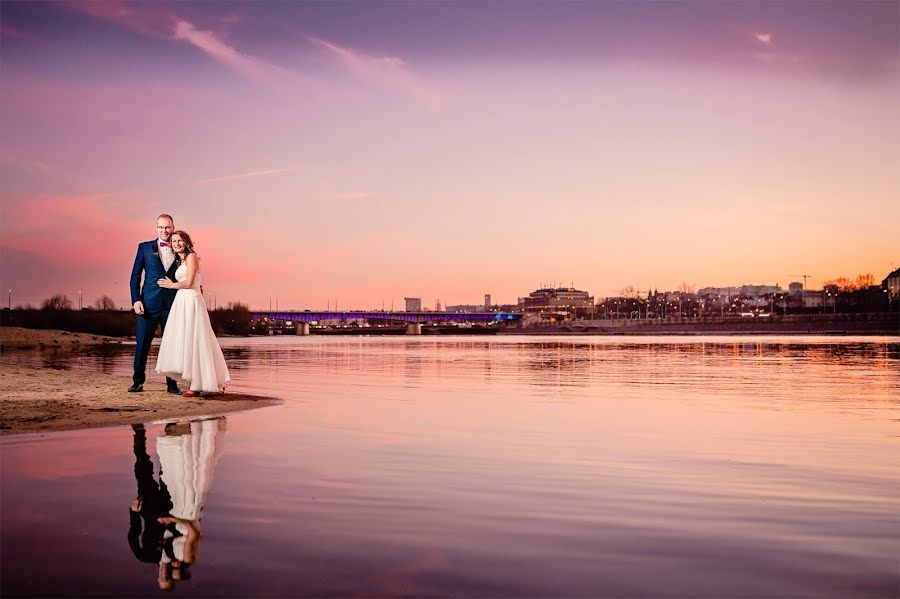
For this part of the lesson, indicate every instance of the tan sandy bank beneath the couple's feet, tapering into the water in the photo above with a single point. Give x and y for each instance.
(37, 400)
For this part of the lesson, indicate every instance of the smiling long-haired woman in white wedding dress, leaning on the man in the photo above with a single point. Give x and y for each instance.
(189, 349)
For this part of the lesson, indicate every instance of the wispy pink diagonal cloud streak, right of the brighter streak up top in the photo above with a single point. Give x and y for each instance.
(388, 72)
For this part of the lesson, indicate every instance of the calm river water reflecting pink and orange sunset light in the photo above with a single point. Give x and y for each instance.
(488, 467)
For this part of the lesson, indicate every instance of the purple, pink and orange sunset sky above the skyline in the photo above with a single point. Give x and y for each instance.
(369, 151)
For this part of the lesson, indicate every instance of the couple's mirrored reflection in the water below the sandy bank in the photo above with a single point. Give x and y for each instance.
(165, 515)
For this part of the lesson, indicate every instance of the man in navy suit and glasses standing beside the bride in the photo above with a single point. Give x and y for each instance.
(155, 259)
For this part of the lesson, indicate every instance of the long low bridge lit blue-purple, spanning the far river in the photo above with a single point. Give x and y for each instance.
(299, 321)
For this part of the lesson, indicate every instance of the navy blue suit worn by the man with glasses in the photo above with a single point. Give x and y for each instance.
(157, 303)
